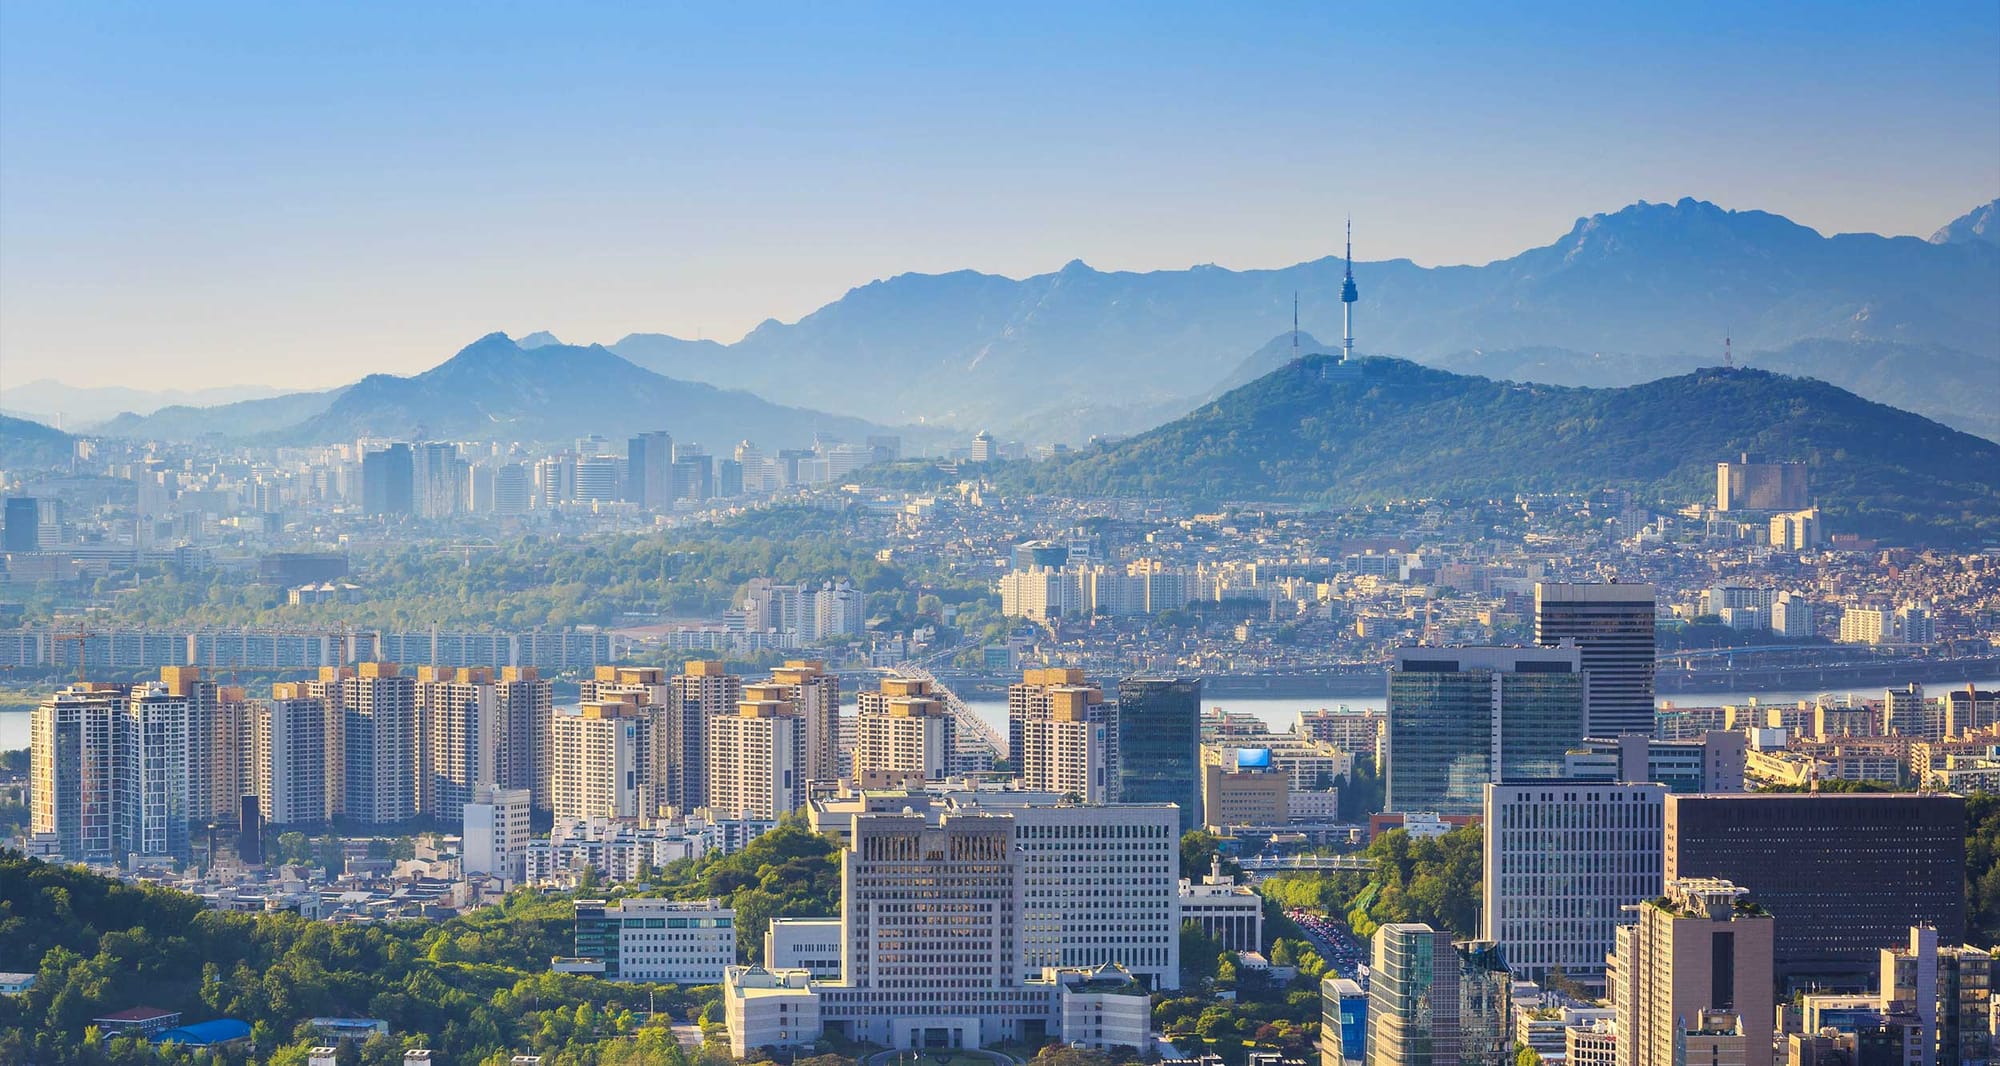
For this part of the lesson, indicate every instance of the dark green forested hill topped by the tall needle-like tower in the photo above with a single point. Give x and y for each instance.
(1389, 429)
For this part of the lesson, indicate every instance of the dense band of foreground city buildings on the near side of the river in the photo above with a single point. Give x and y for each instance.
(1625, 853)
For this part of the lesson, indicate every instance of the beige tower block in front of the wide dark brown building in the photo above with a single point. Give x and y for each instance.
(1695, 955)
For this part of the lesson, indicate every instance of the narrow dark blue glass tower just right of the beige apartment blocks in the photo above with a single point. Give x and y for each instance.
(1161, 745)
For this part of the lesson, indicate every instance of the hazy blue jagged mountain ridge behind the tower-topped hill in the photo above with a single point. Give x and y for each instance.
(1659, 285)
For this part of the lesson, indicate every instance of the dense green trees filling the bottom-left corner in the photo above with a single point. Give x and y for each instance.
(471, 989)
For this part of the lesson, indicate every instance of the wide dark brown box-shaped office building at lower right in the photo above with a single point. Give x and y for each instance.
(1845, 871)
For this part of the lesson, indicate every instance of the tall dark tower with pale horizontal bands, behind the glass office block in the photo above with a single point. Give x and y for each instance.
(1613, 629)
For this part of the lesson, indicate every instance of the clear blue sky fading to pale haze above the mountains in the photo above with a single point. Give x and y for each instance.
(305, 193)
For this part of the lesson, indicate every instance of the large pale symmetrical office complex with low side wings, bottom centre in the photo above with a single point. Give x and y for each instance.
(973, 917)
